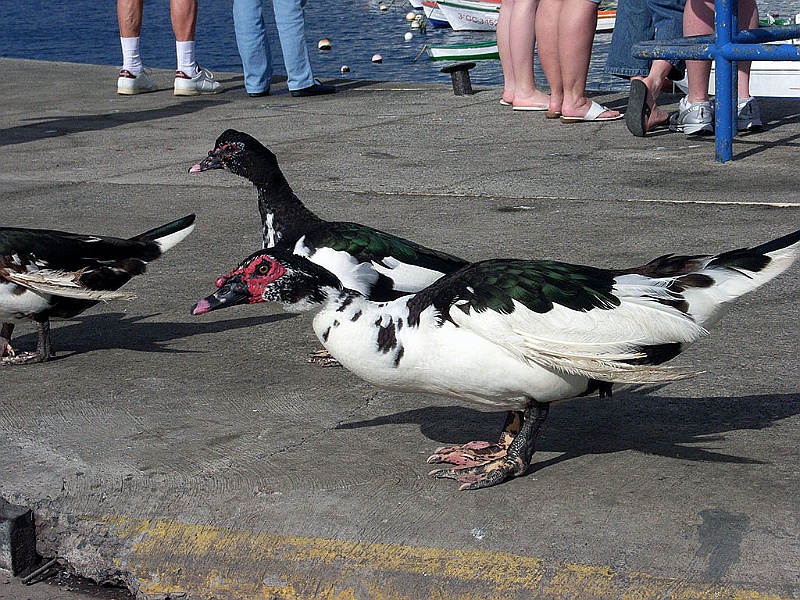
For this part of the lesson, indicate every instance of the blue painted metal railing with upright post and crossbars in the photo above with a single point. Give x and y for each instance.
(726, 46)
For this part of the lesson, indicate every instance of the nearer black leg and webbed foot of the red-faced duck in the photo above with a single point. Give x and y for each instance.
(517, 458)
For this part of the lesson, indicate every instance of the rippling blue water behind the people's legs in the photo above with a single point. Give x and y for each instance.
(86, 31)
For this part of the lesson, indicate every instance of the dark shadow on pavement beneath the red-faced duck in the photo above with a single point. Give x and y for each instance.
(682, 428)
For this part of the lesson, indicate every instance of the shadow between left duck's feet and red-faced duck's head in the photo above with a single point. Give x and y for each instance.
(107, 331)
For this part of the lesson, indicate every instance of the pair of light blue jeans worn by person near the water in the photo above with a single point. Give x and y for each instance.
(254, 48)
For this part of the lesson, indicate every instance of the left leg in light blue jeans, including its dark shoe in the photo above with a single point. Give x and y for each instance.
(253, 44)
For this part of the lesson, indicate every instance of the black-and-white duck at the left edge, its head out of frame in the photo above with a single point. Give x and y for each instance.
(46, 274)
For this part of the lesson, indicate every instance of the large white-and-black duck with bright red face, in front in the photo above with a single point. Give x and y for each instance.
(512, 334)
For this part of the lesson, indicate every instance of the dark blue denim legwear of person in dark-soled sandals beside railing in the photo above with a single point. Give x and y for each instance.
(641, 21)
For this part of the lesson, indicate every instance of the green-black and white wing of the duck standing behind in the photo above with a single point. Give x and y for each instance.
(410, 266)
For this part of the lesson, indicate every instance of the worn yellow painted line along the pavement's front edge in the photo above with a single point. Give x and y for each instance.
(168, 558)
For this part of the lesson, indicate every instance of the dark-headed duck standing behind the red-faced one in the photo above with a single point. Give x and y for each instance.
(380, 265)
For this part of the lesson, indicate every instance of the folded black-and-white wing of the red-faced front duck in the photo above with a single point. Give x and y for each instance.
(572, 318)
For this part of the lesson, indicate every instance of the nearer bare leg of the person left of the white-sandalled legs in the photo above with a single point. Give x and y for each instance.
(521, 44)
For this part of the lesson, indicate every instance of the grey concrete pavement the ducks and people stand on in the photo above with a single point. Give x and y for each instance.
(201, 457)
